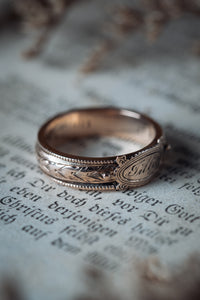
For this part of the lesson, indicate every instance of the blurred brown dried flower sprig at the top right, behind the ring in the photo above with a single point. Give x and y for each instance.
(151, 17)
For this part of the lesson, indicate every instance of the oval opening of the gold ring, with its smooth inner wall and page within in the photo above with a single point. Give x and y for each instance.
(99, 133)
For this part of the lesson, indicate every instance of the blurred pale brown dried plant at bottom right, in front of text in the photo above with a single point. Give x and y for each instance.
(148, 280)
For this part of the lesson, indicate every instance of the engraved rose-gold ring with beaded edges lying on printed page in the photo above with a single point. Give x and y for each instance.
(117, 172)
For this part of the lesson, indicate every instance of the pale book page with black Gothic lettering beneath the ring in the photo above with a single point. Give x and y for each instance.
(50, 233)
